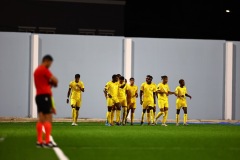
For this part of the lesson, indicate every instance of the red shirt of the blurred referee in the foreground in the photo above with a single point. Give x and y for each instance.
(42, 76)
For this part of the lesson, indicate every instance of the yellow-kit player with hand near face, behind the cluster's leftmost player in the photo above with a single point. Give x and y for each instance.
(122, 97)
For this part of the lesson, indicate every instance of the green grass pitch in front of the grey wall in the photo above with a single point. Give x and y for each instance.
(95, 141)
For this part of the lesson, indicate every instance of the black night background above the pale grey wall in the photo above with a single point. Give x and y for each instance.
(199, 19)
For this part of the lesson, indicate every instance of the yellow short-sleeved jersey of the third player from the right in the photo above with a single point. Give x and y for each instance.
(148, 90)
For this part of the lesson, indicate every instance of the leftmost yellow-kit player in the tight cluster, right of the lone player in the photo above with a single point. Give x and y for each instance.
(111, 89)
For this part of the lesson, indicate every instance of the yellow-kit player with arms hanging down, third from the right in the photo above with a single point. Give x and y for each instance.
(147, 97)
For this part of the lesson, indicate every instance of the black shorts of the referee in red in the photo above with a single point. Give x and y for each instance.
(44, 103)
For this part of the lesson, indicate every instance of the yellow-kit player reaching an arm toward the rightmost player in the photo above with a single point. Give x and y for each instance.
(163, 92)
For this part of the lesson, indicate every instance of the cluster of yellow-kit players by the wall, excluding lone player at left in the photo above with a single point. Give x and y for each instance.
(121, 96)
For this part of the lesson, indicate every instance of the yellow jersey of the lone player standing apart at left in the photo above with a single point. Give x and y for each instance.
(76, 92)
